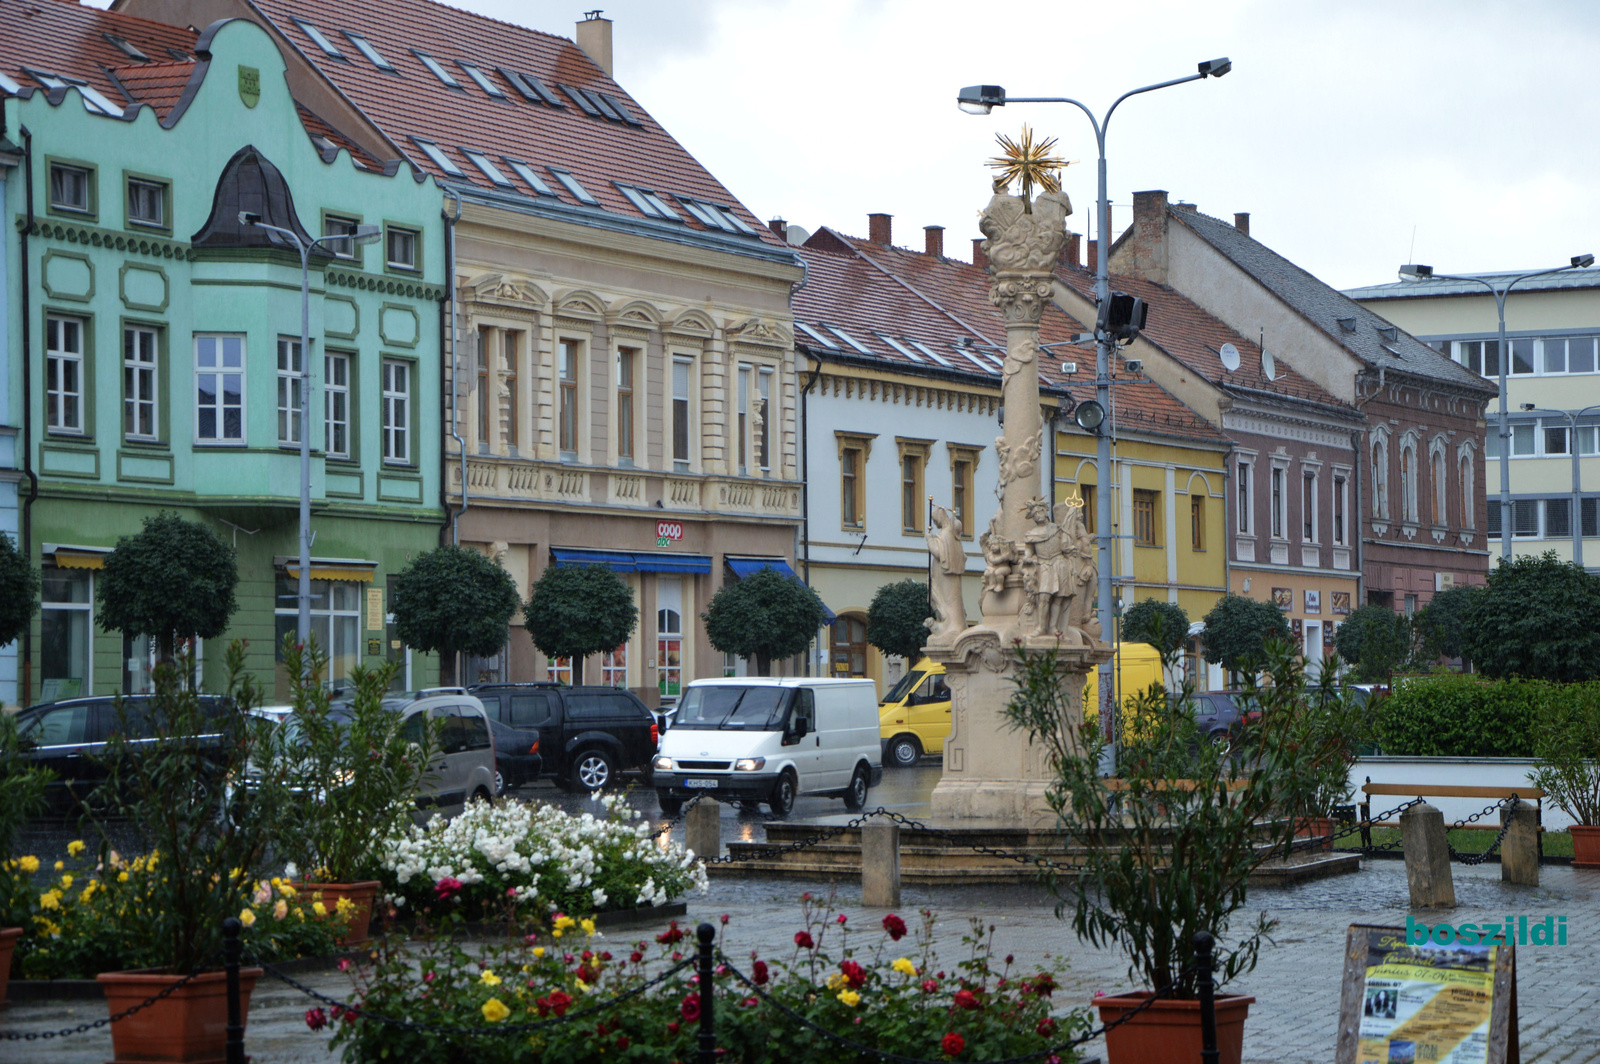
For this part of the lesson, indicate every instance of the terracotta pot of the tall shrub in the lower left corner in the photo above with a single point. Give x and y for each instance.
(188, 1026)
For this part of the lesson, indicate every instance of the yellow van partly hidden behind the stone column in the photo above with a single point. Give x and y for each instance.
(914, 718)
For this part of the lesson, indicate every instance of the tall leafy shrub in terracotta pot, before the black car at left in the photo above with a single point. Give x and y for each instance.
(182, 790)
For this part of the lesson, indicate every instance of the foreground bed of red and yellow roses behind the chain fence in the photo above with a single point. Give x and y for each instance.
(878, 991)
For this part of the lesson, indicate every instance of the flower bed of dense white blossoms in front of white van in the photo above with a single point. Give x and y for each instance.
(532, 860)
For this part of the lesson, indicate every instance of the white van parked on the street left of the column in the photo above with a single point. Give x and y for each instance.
(762, 740)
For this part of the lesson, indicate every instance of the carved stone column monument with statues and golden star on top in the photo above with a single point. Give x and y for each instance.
(1039, 559)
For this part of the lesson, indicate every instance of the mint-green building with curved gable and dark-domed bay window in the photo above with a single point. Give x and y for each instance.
(156, 338)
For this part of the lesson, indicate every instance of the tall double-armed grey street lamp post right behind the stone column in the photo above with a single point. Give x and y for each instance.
(980, 100)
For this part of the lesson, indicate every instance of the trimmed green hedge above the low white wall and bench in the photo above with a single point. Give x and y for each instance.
(1468, 716)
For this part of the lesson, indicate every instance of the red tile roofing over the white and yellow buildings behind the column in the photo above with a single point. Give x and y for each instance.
(873, 292)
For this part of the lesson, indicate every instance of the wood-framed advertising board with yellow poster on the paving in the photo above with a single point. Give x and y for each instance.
(1426, 1004)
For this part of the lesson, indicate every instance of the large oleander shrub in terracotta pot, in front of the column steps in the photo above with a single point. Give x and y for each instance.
(1169, 849)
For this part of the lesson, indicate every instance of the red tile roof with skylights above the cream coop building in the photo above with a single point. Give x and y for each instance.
(415, 103)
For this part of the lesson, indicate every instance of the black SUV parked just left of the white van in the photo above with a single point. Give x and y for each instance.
(588, 735)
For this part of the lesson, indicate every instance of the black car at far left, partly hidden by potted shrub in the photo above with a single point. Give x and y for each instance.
(70, 740)
